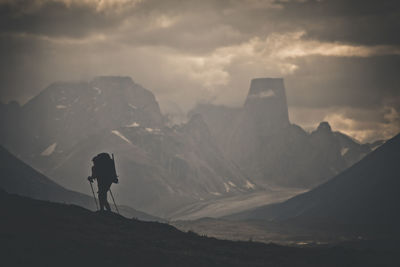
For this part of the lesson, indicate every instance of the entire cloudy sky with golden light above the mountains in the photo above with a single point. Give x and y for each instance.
(340, 58)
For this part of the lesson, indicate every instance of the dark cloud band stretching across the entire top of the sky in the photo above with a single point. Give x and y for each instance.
(205, 25)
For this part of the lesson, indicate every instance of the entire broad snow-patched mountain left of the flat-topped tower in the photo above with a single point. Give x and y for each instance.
(161, 168)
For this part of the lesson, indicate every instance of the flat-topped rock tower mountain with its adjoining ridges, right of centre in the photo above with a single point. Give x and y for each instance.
(269, 149)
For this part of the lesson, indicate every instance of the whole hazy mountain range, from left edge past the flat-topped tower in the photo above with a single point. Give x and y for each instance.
(219, 153)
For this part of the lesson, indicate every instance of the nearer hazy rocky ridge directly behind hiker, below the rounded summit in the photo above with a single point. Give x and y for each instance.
(160, 170)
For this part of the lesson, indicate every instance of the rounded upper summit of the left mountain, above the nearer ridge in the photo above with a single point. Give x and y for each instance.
(66, 112)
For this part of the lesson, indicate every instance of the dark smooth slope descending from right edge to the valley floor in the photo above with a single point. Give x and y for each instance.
(366, 193)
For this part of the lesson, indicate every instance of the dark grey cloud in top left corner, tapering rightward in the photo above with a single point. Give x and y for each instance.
(55, 19)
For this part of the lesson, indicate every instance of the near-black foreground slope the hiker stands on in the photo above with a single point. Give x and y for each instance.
(40, 233)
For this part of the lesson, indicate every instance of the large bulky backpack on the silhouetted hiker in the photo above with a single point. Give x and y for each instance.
(105, 167)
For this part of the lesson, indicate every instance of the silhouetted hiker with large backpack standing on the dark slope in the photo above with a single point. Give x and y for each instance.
(103, 170)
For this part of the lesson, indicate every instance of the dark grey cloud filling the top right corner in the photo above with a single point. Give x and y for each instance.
(357, 21)
